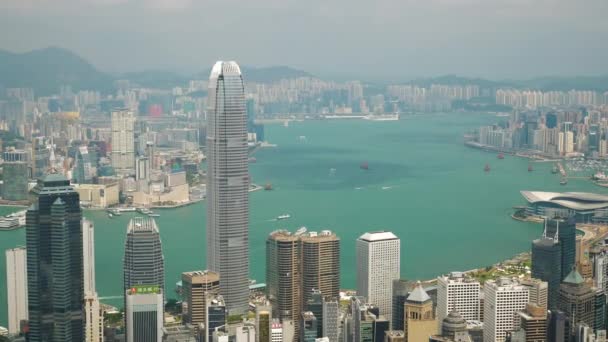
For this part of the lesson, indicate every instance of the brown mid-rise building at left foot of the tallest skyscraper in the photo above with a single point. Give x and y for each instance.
(196, 286)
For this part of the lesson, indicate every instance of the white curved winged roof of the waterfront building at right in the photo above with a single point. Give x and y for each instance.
(570, 200)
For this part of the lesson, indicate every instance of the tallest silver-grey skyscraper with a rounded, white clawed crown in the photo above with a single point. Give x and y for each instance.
(228, 185)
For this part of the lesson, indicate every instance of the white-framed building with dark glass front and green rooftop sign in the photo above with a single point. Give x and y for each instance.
(144, 313)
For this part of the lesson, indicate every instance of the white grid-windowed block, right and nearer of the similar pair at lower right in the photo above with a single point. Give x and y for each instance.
(503, 299)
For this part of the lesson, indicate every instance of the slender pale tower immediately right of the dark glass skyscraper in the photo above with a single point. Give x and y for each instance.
(93, 312)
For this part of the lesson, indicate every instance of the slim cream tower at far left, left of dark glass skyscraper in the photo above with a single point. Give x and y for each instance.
(16, 288)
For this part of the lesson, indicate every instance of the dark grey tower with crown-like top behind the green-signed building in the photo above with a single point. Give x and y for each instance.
(143, 261)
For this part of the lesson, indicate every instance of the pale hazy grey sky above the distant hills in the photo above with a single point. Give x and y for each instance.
(404, 38)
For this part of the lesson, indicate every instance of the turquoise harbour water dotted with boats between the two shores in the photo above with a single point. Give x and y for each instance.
(449, 214)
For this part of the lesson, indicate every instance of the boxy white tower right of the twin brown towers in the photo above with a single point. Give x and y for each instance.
(378, 264)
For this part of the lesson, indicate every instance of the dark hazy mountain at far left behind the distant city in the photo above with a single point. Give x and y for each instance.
(46, 70)
